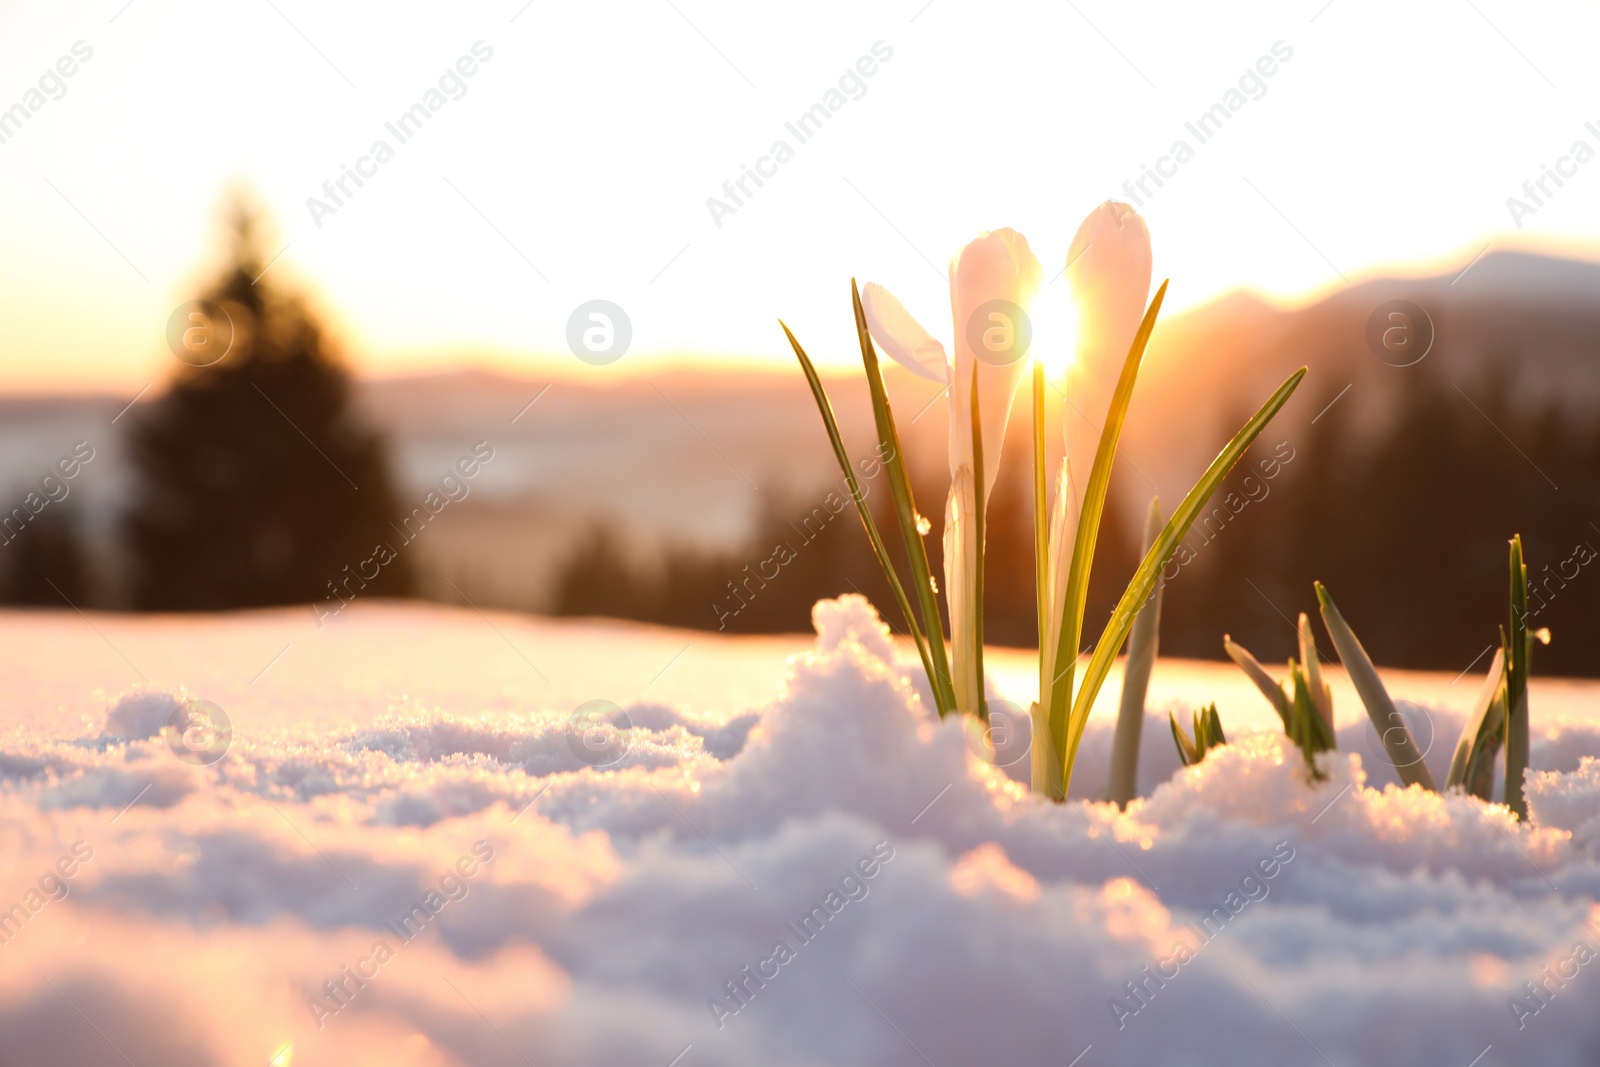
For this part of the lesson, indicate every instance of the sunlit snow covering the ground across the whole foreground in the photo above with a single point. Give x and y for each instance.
(425, 844)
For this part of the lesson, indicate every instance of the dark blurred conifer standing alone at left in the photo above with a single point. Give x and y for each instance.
(257, 482)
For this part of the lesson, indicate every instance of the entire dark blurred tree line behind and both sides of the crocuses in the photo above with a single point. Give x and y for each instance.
(1407, 529)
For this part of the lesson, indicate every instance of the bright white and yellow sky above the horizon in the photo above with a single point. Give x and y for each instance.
(580, 161)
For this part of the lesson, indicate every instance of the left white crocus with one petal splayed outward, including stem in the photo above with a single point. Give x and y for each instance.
(991, 282)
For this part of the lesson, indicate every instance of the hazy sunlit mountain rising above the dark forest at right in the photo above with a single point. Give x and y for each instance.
(1511, 321)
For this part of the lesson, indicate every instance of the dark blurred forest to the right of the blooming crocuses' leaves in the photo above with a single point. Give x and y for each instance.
(1410, 530)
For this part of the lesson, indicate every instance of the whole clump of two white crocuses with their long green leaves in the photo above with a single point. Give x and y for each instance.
(993, 281)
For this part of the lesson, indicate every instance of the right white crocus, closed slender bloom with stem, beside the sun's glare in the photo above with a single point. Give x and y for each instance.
(1110, 273)
